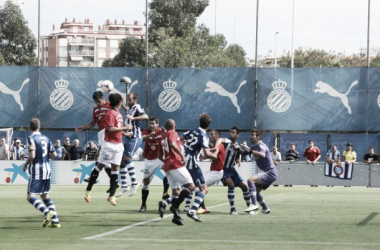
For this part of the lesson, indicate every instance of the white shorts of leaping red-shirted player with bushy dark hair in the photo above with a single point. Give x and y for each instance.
(111, 153)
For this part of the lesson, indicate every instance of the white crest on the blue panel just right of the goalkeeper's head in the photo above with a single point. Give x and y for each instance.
(279, 100)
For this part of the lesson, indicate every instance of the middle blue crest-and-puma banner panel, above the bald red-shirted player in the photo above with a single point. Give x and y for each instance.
(226, 94)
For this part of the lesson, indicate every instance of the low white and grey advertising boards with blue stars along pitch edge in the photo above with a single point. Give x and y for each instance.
(299, 173)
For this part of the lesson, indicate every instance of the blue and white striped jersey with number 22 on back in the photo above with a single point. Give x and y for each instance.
(196, 141)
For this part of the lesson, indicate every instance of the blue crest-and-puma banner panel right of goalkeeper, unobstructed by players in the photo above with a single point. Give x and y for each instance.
(313, 99)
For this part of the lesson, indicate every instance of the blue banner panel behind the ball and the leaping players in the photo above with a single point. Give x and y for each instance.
(66, 93)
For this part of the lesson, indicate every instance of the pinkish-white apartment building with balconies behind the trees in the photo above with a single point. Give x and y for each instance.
(77, 44)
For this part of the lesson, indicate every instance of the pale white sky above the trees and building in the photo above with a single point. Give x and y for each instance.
(331, 25)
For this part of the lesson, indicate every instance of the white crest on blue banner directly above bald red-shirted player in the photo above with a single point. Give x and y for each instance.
(169, 99)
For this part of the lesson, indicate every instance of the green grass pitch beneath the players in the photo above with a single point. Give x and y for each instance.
(300, 218)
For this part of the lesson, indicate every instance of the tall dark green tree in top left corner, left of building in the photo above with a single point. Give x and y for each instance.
(17, 43)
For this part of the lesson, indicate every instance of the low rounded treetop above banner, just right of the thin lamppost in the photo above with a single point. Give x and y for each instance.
(311, 58)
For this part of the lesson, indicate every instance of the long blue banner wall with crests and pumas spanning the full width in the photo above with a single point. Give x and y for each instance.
(322, 99)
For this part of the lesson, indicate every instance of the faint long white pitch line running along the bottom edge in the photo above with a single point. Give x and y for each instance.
(248, 241)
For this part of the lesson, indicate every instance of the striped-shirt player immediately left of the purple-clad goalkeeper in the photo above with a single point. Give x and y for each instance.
(231, 177)
